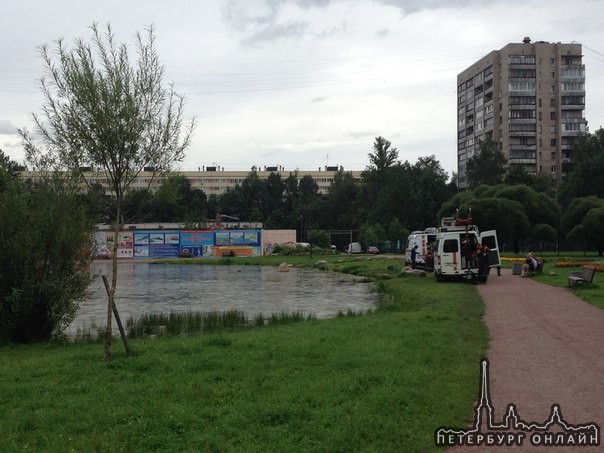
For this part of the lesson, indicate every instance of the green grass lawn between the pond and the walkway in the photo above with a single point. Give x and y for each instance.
(377, 382)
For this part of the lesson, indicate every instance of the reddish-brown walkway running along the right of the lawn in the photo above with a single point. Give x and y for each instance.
(547, 346)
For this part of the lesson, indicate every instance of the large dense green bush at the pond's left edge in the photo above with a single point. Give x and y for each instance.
(45, 239)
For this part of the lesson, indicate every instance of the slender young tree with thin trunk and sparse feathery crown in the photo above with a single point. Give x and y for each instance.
(103, 111)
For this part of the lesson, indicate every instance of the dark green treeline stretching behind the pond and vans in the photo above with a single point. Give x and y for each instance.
(396, 197)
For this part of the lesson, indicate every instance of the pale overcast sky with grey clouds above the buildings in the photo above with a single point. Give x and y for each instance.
(301, 84)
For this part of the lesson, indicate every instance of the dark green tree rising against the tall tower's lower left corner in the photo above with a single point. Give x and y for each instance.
(487, 166)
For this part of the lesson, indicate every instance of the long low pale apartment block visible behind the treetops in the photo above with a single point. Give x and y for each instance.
(216, 180)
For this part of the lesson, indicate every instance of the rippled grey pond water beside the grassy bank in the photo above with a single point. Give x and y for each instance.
(163, 288)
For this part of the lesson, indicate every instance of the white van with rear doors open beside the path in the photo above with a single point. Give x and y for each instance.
(456, 243)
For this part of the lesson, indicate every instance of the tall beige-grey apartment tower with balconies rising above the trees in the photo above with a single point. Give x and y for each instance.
(527, 97)
